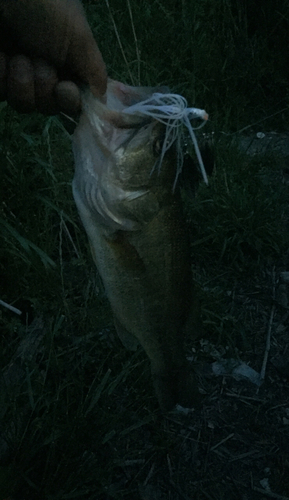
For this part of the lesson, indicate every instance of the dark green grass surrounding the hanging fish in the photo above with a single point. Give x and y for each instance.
(84, 405)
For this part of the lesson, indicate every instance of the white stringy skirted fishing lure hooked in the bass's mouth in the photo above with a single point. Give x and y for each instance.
(172, 110)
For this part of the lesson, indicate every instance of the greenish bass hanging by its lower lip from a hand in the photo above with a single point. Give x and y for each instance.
(138, 234)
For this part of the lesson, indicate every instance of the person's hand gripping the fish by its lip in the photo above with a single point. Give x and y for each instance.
(46, 50)
